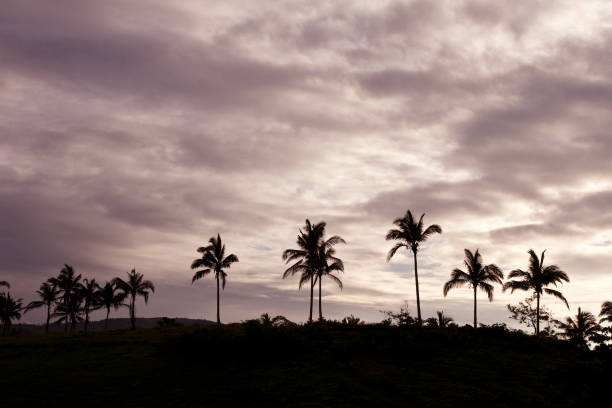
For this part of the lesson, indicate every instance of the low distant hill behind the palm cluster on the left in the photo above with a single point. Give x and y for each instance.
(113, 324)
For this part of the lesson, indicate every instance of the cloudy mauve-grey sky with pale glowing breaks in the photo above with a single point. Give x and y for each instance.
(133, 131)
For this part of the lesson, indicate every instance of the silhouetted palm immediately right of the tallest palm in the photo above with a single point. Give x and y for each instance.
(477, 276)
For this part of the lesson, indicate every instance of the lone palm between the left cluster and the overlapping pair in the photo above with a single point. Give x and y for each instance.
(213, 260)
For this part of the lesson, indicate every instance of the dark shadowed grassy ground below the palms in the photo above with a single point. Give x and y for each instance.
(320, 366)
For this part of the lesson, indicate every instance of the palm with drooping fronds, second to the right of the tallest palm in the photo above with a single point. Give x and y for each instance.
(536, 279)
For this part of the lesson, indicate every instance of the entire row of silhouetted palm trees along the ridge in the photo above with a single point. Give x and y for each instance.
(70, 299)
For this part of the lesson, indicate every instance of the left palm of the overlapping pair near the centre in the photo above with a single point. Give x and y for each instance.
(306, 257)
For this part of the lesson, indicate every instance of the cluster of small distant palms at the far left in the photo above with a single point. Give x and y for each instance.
(70, 299)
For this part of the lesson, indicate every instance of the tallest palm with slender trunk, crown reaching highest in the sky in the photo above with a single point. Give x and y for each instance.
(410, 234)
